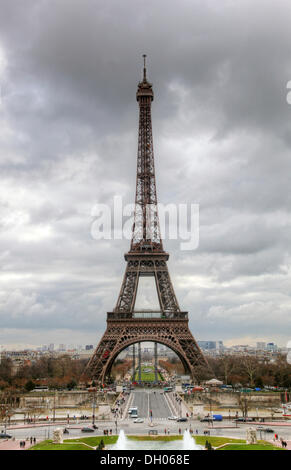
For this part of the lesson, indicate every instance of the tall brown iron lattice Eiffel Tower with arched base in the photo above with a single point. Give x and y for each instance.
(146, 257)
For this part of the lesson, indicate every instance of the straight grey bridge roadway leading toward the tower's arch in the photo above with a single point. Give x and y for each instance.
(151, 400)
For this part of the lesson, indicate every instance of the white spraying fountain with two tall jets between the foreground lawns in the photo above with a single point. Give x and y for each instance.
(123, 443)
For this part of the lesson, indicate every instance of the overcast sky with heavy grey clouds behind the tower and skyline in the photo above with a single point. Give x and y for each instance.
(68, 140)
